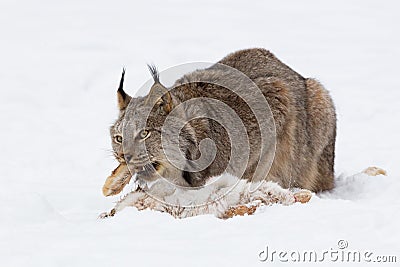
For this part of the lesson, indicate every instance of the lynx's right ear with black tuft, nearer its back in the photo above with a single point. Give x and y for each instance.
(158, 94)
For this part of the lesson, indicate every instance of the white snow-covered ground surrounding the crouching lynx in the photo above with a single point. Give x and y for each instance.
(60, 65)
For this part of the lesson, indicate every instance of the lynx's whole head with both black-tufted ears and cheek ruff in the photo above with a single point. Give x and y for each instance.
(137, 133)
